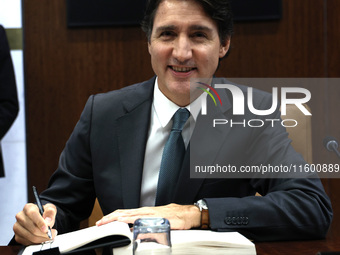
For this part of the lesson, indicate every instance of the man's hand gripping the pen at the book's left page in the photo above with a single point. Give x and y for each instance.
(31, 227)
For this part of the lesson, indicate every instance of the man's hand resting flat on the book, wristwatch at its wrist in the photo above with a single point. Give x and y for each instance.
(180, 216)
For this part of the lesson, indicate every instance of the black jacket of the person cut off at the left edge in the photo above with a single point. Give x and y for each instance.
(8, 92)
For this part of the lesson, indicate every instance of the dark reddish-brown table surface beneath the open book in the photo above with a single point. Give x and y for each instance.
(265, 248)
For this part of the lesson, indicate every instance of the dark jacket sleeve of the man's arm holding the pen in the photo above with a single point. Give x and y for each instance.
(71, 186)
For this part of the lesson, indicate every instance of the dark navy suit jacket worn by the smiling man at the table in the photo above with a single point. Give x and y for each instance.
(104, 158)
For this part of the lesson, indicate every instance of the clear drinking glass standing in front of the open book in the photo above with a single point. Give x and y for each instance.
(151, 236)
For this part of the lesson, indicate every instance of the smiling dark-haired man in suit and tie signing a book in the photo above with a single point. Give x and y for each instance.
(115, 152)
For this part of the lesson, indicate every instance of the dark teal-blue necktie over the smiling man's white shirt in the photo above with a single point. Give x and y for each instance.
(172, 158)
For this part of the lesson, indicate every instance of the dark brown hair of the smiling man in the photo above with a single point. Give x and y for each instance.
(218, 10)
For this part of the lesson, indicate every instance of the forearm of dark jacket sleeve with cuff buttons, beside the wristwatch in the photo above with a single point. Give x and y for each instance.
(292, 209)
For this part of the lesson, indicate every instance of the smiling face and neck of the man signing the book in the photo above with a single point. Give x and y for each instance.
(184, 44)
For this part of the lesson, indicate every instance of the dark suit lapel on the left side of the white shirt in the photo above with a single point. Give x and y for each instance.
(132, 137)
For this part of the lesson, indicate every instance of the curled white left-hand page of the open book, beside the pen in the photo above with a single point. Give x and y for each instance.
(73, 240)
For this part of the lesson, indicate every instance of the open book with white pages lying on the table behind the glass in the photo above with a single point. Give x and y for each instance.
(117, 234)
